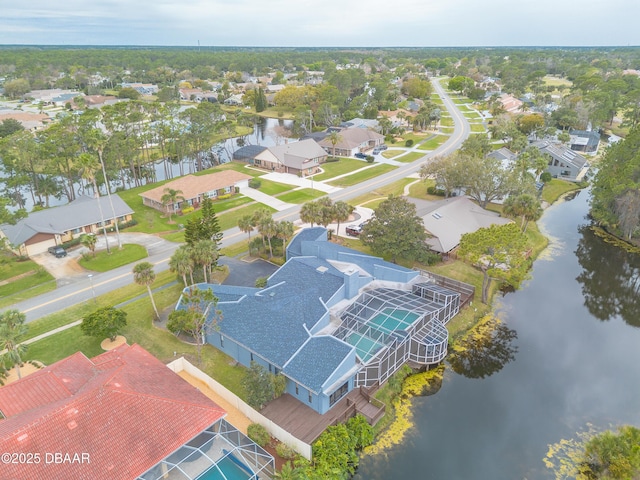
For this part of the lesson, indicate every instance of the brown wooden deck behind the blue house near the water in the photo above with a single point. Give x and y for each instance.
(306, 424)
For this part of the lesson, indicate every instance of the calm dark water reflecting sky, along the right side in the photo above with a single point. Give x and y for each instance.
(576, 361)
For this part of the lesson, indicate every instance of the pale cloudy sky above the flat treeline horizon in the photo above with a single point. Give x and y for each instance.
(321, 23)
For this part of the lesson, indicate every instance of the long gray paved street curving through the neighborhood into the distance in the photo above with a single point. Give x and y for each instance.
(160, 250)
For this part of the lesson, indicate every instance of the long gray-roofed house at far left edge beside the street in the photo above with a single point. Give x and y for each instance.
(54, 226)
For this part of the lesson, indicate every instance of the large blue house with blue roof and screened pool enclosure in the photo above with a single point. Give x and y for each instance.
(333, 319)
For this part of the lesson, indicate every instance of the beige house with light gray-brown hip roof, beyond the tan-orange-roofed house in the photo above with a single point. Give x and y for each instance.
(299, 158)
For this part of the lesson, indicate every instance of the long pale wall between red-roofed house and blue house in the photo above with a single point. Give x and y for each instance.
(276, 431)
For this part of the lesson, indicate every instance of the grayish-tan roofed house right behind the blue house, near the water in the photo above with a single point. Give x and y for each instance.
(447, 220)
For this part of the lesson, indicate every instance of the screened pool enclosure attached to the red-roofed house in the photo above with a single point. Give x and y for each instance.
(220, 444)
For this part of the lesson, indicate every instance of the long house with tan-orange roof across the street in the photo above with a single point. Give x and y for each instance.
(193, 188)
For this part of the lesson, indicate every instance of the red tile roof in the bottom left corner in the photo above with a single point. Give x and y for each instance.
(124, 409)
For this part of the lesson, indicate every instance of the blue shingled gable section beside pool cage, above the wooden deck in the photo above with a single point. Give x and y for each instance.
(317, 360)
